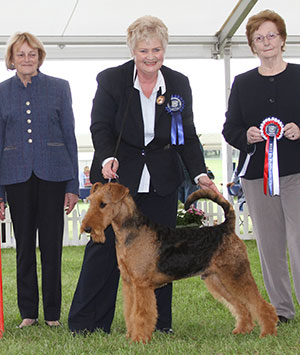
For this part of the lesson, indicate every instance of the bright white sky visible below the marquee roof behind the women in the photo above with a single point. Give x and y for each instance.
(206, 78)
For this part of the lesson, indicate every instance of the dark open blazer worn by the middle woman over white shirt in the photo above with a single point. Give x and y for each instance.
(116, 97)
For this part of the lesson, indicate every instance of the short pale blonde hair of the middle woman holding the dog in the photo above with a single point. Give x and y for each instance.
(144, 28)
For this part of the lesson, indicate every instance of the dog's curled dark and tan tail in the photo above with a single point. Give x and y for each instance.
(220, 200)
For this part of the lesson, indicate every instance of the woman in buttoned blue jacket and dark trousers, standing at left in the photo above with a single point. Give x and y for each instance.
(38, 172)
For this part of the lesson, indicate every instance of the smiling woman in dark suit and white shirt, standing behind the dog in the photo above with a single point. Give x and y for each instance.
(146, 95)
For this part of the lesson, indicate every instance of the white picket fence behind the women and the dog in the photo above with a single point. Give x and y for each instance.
(72, 235)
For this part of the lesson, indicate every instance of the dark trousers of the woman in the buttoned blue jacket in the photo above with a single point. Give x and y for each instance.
(38, 205)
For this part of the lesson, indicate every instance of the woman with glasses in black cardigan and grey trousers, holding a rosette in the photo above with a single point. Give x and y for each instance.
(263, 102)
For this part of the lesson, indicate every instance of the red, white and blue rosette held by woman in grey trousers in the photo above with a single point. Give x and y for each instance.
(271, 130)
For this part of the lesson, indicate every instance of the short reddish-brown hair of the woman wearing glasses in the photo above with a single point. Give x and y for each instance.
(257, 20)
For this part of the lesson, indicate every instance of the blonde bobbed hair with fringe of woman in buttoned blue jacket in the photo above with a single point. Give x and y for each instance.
(17, 40)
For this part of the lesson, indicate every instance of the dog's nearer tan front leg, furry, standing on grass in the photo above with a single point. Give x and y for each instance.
(144, 314)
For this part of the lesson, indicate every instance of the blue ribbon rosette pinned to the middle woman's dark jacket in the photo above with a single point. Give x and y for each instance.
(175, 107)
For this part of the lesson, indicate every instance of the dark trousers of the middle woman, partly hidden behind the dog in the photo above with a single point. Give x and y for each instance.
(94, 300)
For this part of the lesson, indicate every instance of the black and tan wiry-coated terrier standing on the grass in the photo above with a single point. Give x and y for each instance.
(151, 255)
